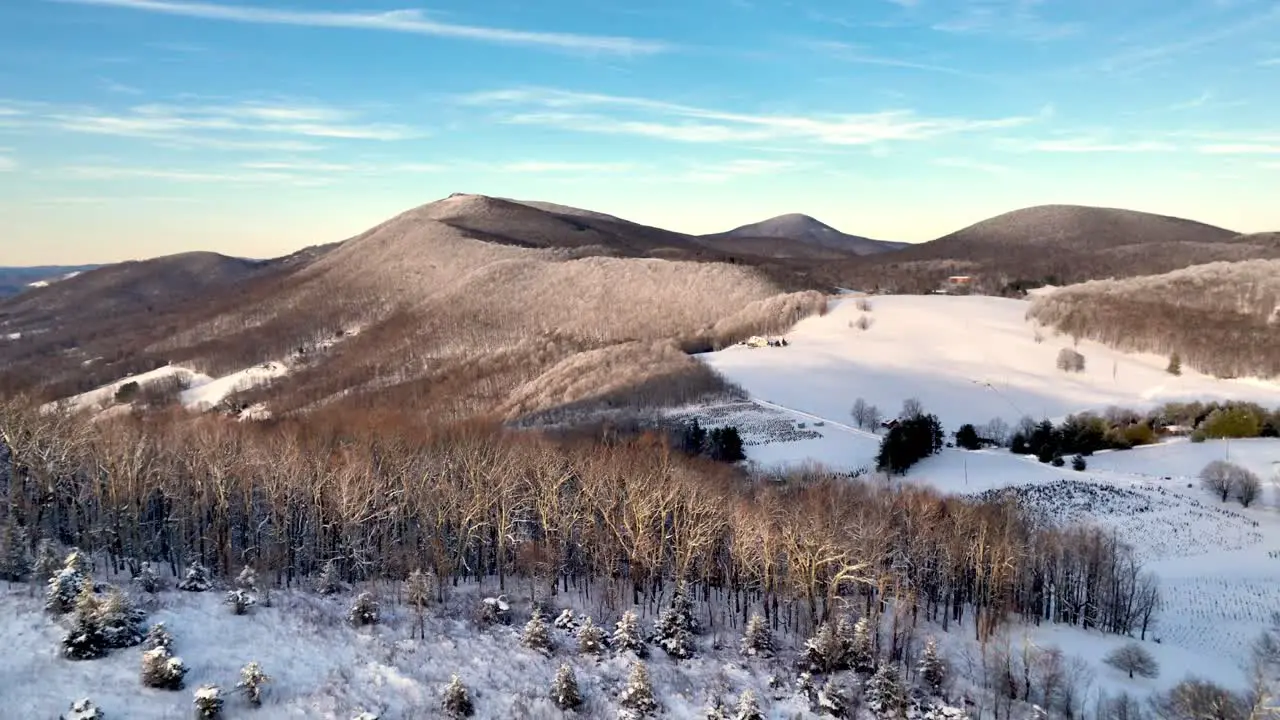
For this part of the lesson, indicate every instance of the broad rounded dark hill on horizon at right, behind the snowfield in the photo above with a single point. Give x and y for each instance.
(1057, 245)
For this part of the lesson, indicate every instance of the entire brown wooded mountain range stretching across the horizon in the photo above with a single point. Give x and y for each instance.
(516, 309)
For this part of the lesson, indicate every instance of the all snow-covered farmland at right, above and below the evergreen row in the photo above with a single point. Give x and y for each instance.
(972, 359)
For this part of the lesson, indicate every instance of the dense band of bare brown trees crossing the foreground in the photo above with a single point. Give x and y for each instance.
(381, 496)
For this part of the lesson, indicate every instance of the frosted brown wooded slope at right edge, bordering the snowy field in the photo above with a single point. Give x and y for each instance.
(1222, 318)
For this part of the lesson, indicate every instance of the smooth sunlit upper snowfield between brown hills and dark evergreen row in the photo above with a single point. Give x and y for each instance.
(970, 359)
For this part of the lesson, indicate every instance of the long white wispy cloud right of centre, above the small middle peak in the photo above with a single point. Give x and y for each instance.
(688, 124)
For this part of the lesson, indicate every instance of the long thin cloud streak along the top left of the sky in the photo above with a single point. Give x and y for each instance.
(395, 21)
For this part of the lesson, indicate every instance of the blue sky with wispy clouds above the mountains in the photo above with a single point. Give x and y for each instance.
(134, 129)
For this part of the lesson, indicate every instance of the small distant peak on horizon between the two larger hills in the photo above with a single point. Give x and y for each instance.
(797, 236)
